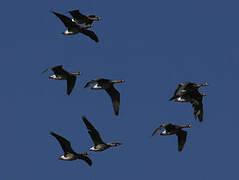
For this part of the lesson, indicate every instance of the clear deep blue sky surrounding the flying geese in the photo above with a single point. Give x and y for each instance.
(153, 45)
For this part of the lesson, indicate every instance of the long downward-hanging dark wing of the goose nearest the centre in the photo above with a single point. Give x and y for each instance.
(115, 98)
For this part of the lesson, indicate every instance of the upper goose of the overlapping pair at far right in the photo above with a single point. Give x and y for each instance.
(183, 89)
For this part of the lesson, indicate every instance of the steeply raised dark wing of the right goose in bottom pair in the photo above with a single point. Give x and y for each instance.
(94, 134)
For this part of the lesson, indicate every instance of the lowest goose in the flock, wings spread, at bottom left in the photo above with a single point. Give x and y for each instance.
(69, 154)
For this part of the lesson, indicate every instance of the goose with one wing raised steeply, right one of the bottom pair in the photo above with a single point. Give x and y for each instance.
(99, 144)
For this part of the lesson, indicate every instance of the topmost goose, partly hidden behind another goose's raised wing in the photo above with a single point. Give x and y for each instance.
(83, 19)
